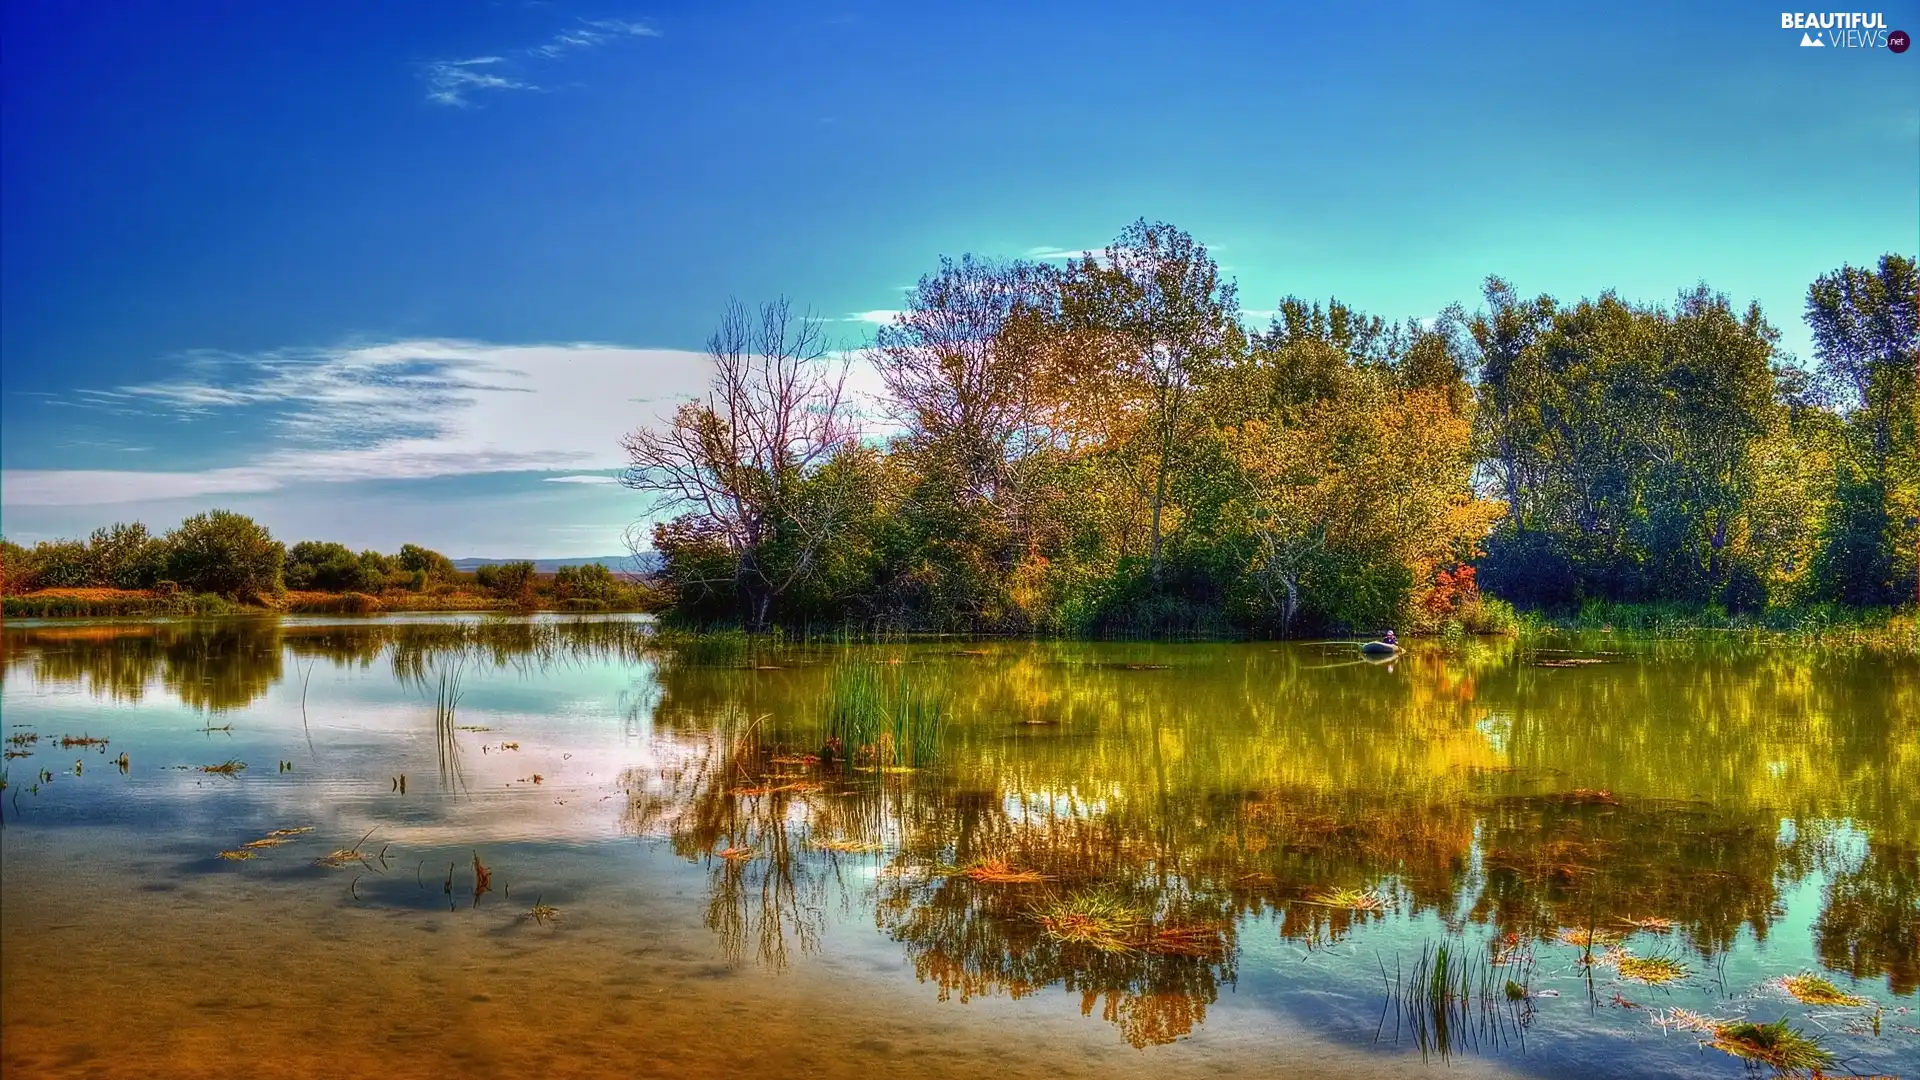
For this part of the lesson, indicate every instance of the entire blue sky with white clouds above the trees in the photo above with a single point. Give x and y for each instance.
(385, 274)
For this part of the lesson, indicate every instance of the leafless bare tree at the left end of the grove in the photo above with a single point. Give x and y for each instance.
(740, 464)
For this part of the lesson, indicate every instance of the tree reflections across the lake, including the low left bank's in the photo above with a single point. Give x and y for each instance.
(1212, 781)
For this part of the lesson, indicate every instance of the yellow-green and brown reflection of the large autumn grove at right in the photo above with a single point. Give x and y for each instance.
(1483, 793)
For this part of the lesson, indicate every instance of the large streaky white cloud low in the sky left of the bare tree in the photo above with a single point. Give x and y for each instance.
(396, 412)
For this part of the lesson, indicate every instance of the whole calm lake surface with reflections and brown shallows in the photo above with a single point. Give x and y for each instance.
(1280, 835)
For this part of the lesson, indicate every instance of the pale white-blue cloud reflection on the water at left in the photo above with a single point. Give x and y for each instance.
(364, 739)
